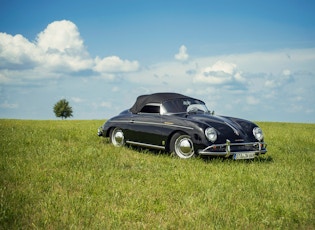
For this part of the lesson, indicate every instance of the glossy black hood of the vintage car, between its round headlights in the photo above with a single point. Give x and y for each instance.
(234, 128)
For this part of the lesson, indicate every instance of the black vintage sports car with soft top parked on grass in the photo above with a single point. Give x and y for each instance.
(185, 127)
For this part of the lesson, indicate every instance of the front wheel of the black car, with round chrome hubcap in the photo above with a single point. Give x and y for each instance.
(181, 145)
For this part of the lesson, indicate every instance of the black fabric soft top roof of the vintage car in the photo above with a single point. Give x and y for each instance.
(154, 98)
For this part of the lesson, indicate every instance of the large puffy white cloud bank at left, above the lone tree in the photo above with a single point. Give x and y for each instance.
(58, 50)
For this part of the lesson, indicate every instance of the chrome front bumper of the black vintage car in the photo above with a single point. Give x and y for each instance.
(230, 149)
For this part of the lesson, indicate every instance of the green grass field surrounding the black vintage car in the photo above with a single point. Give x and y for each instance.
(60, 175)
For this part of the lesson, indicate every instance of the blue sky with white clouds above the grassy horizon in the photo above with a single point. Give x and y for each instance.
(249, 59)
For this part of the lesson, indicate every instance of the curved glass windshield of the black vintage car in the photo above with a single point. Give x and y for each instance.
(186, 105)
